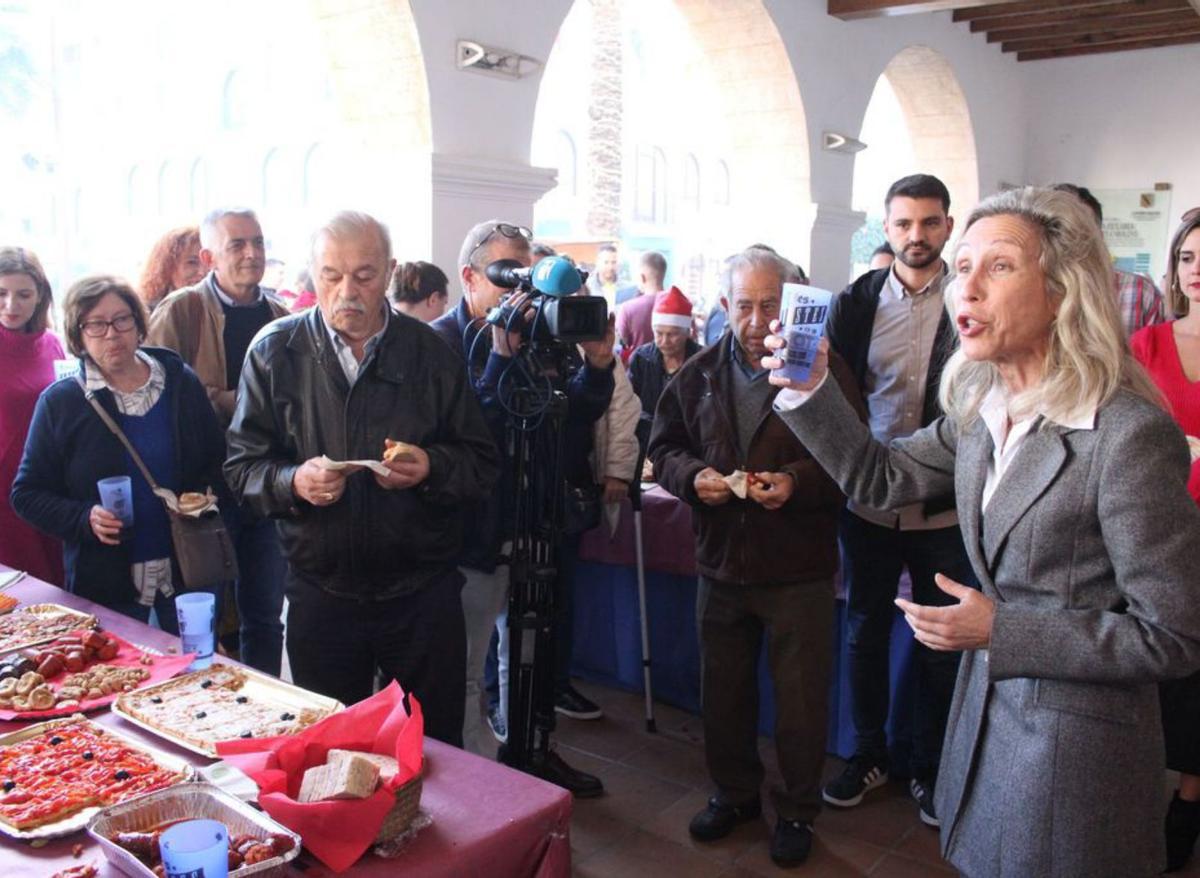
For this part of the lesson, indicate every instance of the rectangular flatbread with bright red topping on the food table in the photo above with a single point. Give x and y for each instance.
(69, 766)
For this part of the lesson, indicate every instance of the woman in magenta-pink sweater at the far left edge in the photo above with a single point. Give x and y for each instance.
(28, 352)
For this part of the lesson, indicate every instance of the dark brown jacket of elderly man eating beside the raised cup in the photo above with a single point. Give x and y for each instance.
(741, 542)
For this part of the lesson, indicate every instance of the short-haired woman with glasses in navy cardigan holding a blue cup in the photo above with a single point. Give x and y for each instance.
(163, 408)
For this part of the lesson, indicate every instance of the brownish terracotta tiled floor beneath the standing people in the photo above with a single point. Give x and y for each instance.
(656, 783)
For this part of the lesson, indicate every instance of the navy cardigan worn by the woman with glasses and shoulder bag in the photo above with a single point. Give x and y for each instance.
(70, 449)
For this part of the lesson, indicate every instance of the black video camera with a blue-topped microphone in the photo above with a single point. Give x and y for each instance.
(554, 314)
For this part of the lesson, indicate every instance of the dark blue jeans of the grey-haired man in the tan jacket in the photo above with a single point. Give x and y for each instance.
(260, 591)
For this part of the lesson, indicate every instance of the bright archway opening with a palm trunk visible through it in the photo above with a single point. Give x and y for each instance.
(694, 95)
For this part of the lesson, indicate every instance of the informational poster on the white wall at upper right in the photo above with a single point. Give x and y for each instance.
(1137, 228)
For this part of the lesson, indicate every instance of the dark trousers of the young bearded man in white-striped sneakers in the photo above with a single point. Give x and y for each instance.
(874, 558)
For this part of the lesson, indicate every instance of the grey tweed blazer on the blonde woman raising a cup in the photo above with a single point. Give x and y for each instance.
(1053, 763)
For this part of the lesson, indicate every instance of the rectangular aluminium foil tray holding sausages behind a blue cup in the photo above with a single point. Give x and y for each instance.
(188, 802)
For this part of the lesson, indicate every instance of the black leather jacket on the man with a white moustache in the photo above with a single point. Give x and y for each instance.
(296, 404)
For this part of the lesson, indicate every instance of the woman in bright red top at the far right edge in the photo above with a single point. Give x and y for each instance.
(1171, 352)
